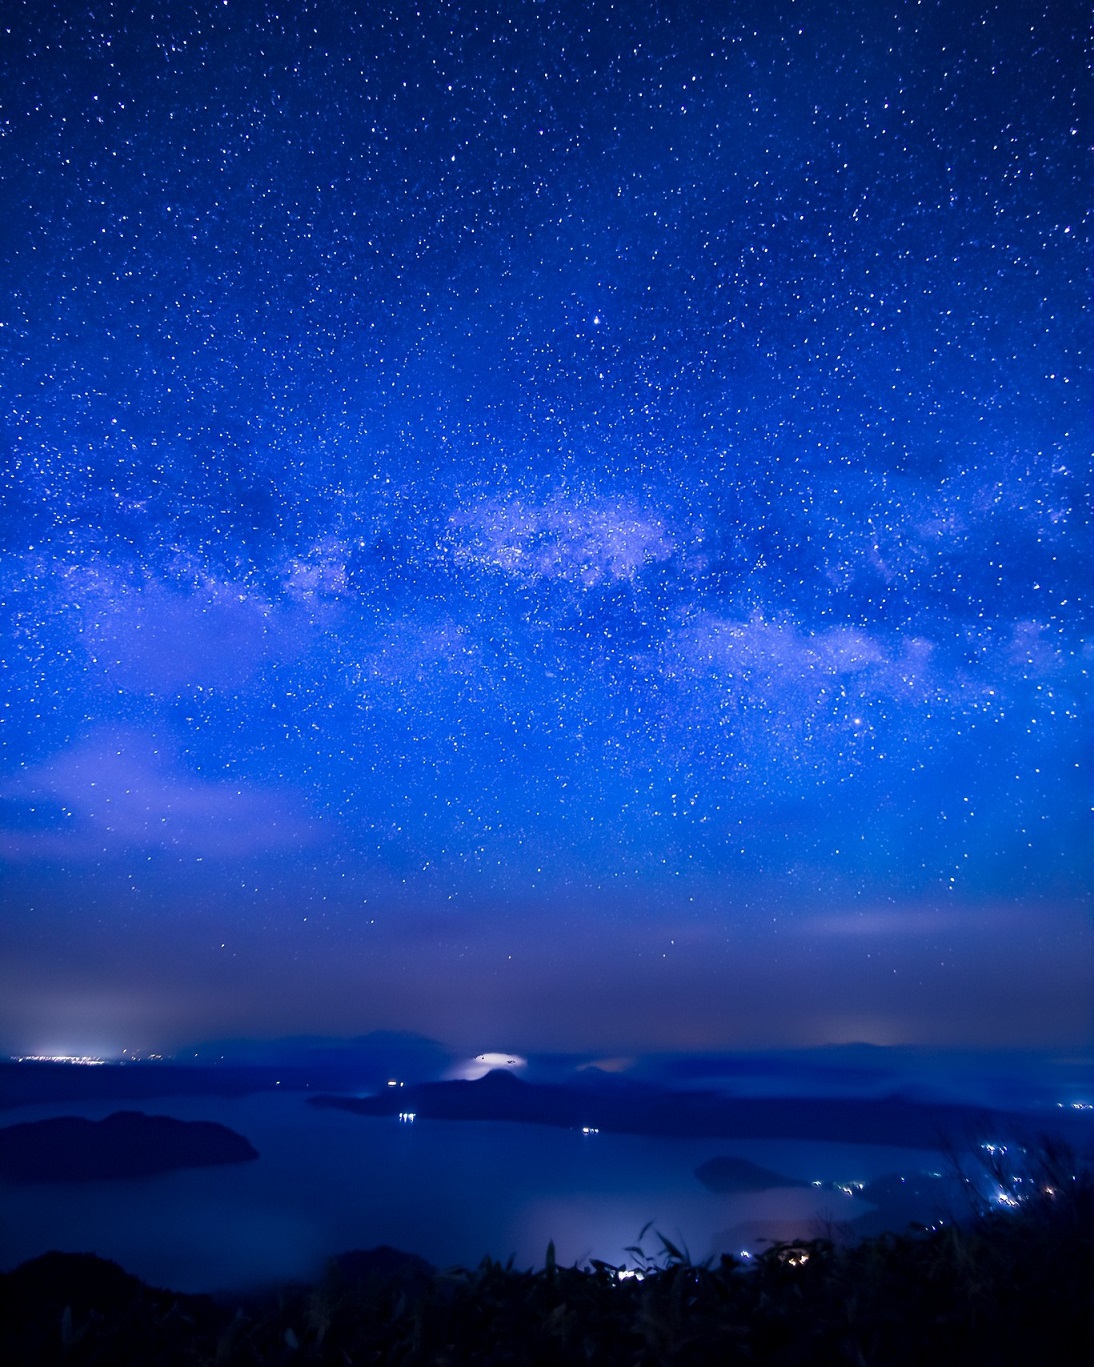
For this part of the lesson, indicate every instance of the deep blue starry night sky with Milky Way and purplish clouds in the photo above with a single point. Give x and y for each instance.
(553, 526)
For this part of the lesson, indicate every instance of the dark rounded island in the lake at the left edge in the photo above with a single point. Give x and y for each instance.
(70, 1149)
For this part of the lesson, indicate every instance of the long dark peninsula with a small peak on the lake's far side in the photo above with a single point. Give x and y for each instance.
(654, 1111)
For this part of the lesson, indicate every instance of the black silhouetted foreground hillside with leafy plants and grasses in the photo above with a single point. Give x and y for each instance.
(1007, 1287)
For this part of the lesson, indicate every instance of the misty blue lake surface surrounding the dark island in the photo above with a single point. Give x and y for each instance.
(453, 1191)
